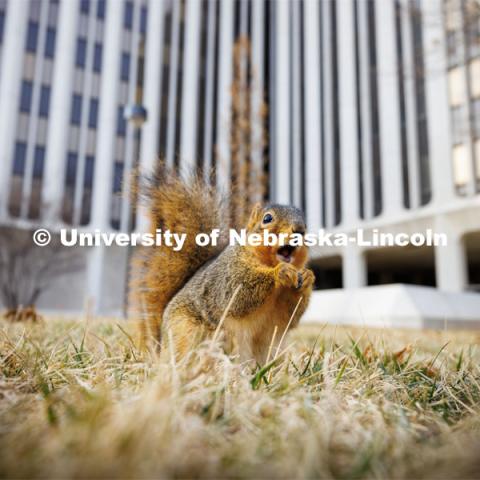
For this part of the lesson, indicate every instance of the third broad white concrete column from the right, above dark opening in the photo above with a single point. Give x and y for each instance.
(348, 114)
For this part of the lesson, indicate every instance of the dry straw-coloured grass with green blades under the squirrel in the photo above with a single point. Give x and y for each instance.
(84, 402)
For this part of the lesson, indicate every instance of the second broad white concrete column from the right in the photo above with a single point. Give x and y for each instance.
(389, 113)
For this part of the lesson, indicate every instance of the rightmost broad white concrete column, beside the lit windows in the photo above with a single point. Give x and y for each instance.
(438, 111)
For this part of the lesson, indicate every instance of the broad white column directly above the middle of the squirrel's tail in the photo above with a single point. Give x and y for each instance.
(189, 125)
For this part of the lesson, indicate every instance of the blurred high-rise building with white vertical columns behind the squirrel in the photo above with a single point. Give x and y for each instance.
(363, 113)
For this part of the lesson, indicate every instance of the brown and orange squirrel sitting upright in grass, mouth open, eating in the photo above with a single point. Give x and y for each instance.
(257, 289)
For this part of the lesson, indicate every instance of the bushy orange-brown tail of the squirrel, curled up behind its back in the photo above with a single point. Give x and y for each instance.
(182, 203)
